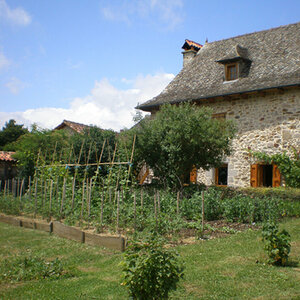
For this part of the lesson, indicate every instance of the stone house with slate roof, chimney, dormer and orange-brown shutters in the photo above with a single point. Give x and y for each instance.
(253, 79)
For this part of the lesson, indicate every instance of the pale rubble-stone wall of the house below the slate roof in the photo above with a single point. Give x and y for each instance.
(268, 122)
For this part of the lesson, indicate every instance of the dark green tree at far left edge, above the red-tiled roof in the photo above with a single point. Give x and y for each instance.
(10, 133)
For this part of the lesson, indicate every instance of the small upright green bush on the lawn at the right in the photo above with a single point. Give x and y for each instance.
(277, 244)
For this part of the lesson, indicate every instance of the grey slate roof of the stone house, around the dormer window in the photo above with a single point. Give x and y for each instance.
(274, 55)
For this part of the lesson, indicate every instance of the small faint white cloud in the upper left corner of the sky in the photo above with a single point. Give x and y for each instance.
(17, 16)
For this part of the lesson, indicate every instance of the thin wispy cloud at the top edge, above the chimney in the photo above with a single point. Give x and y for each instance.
(168, 12)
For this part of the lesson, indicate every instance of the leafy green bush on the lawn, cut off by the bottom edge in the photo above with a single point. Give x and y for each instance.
(150, 270)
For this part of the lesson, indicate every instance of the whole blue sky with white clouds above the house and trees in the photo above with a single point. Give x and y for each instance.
(93, 61)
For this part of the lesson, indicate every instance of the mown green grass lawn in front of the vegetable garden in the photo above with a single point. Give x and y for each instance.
(225, 268)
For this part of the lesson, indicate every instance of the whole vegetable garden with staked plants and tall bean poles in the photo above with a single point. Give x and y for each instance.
(106, 197)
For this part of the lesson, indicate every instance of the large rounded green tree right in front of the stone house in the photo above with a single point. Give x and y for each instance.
(179, 138)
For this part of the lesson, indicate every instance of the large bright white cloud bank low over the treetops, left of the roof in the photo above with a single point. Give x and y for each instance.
(106, 106)
